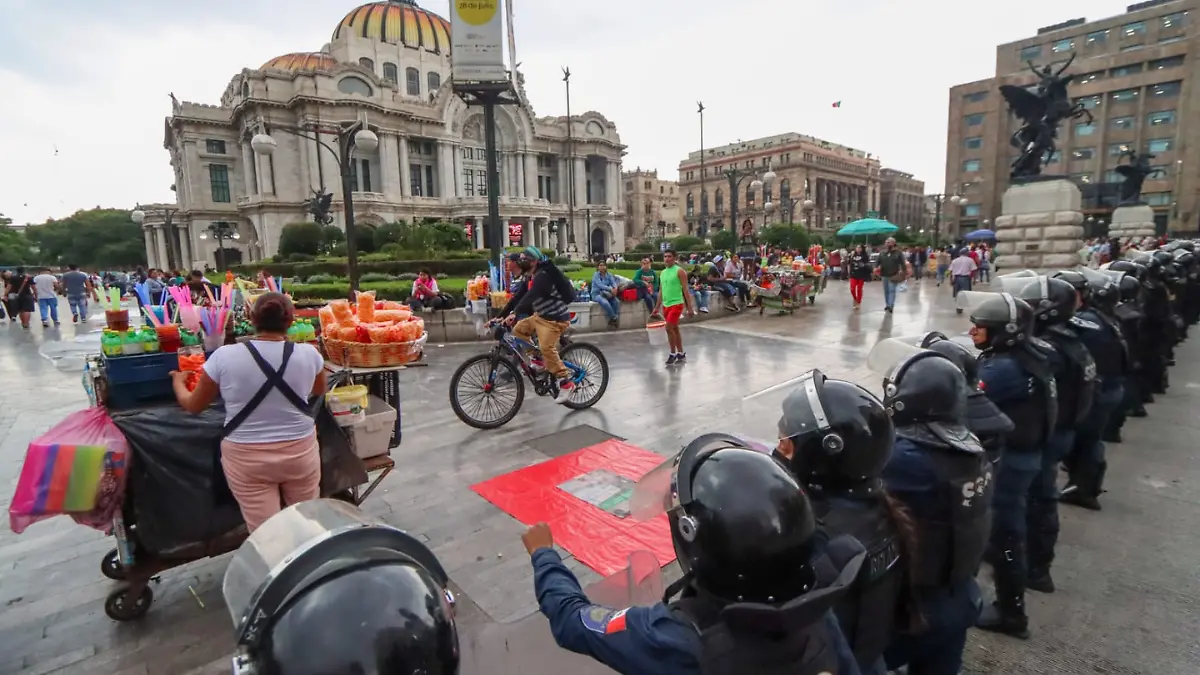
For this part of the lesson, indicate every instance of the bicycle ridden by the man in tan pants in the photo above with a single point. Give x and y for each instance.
(499, 378)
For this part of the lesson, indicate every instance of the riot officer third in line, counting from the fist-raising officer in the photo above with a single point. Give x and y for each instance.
(943, 476)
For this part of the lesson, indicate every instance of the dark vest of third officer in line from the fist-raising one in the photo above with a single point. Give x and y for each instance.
(951, 547)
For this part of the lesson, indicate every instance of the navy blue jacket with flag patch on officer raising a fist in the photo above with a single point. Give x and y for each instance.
(635, 641)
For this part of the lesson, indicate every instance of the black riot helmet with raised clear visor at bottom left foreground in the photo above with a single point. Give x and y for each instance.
(321, 588)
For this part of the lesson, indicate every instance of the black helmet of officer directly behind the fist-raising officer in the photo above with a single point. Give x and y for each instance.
(842, 435)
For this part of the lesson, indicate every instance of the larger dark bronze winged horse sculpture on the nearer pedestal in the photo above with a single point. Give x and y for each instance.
(1041, 112)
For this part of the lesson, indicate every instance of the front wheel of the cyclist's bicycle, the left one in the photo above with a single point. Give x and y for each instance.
(482, 398)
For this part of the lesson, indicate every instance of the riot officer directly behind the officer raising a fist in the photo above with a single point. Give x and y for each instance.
(837, 438)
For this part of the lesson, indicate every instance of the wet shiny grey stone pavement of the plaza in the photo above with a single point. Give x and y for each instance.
(1129, 599)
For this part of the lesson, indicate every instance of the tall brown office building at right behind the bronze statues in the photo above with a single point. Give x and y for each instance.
(1137, 76)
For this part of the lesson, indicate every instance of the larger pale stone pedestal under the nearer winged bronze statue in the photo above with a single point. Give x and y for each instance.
(1041, 228)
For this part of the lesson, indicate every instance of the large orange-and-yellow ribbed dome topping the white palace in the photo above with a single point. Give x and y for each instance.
(398, 22)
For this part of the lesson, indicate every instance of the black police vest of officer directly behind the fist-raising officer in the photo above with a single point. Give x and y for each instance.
(867, 614)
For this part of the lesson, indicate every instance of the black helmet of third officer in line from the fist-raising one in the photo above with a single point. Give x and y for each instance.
(926, 387)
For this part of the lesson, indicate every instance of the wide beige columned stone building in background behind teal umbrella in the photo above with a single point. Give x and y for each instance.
(842, 182)
